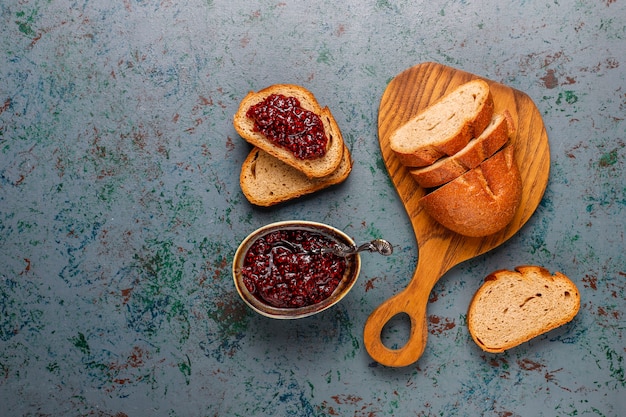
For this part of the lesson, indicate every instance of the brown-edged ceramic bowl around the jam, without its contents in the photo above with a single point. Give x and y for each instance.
(345, 285)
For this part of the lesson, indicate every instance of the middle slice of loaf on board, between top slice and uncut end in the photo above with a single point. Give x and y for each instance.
(495, 135)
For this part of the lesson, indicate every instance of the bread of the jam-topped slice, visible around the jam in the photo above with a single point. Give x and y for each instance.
(313, 168)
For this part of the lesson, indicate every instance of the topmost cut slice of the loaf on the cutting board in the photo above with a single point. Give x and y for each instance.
(445, 127)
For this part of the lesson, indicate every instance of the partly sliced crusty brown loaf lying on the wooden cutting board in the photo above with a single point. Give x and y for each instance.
(458, 149)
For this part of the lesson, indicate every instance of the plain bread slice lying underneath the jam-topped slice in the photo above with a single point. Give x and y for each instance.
(267, 181)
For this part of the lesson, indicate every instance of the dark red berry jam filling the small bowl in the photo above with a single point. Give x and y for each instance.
(279, 277)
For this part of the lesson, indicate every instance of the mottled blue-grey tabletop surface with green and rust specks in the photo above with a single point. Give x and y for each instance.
(120, 208)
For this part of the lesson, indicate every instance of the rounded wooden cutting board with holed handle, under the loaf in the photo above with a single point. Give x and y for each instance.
(440, 249)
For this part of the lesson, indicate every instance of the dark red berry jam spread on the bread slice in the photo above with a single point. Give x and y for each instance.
(285, 123)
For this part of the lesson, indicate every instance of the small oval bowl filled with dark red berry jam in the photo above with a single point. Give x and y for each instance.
(280, 271)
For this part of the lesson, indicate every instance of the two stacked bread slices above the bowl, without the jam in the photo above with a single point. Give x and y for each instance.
(272, 174)
